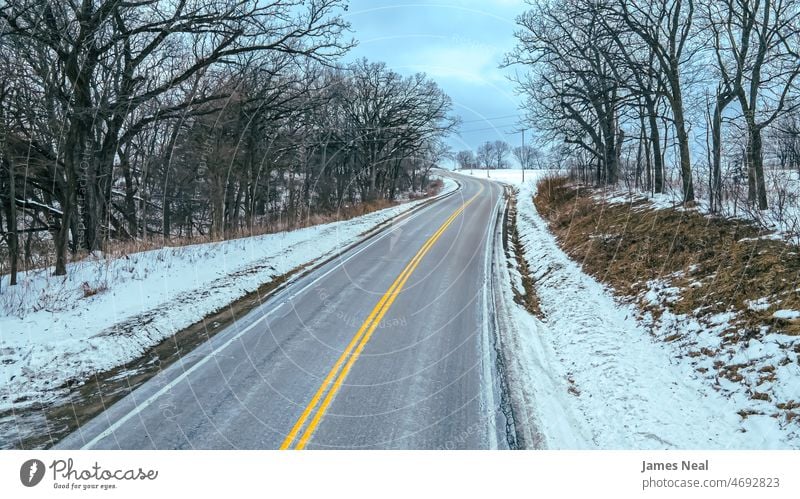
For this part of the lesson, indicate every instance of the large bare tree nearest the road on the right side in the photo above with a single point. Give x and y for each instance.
(574, 90)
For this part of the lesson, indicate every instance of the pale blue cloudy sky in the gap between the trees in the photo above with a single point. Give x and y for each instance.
(457, 43)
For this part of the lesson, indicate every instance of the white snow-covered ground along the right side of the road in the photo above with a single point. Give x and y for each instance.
(593, 376)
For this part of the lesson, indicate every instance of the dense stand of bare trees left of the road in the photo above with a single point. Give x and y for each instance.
(152, 118)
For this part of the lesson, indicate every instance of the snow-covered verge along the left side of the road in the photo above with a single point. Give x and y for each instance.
(60, 335)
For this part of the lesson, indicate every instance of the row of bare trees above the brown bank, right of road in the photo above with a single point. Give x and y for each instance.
(634, 89)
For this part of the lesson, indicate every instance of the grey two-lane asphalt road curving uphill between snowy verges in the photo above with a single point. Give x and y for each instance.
(387, 346)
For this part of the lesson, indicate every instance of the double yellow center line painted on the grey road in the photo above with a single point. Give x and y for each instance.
(333, 381)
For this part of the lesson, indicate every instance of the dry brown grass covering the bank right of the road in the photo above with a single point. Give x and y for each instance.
(719, 264)
